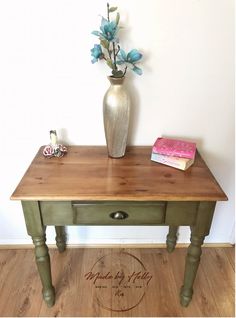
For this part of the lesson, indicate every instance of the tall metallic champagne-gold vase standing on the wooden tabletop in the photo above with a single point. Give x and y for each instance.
(116, 110)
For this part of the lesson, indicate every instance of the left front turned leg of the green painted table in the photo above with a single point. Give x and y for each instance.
(36, 230)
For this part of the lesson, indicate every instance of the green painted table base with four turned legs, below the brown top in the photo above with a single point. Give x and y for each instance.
(59, 213)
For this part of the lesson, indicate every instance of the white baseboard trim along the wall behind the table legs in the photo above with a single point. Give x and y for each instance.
(150, 245)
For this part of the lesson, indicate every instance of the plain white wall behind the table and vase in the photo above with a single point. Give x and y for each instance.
(48, 82)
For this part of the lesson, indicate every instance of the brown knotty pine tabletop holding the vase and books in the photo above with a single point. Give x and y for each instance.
(87, 173)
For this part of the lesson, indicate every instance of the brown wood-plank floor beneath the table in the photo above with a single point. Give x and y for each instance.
(20, 288)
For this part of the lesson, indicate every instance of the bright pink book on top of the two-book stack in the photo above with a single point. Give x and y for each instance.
(176, 148)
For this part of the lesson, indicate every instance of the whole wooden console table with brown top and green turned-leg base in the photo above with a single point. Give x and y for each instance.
(87, 188)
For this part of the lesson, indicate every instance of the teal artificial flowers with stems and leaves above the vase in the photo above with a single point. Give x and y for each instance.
(110, 50)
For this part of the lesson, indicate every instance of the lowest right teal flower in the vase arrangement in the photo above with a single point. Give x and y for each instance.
(130, 60)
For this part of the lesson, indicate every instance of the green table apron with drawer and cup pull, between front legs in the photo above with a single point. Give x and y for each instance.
(118, 212)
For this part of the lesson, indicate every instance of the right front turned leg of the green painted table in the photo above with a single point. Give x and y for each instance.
(200, 229)
